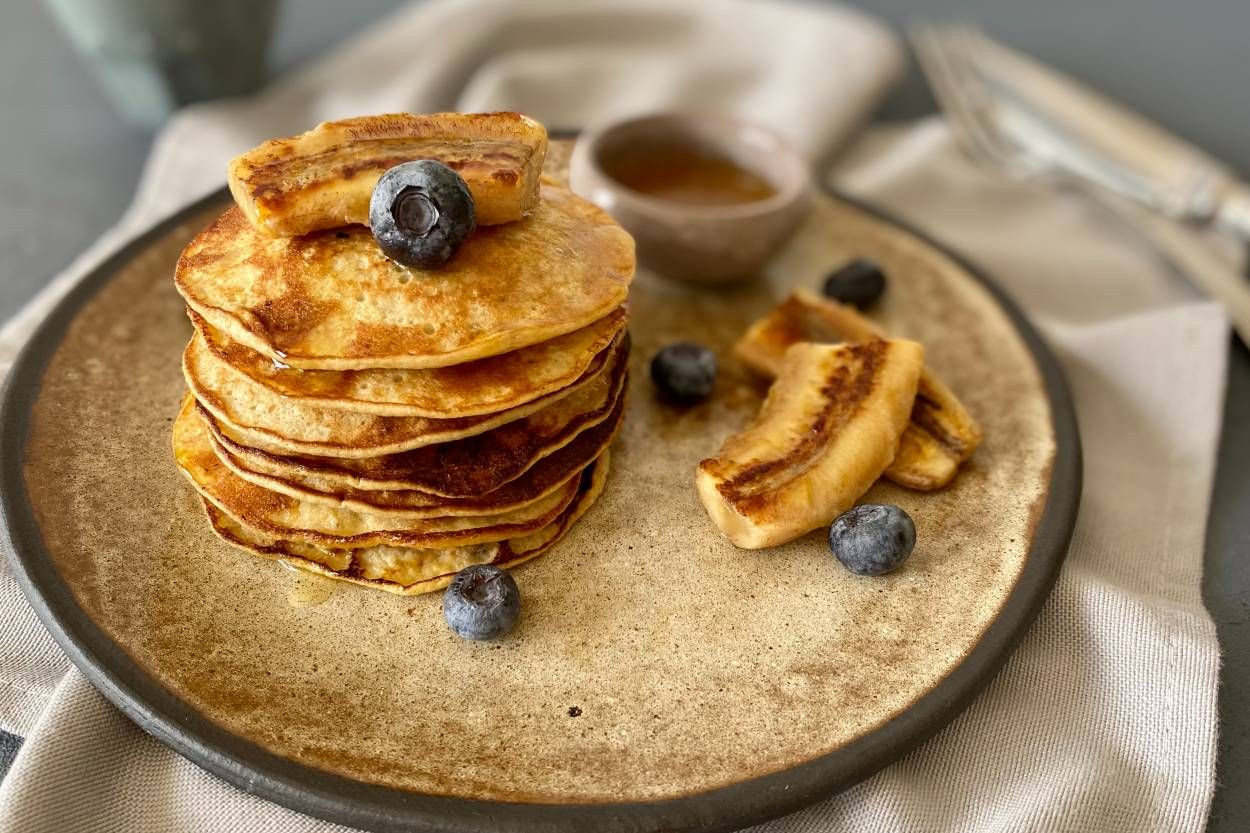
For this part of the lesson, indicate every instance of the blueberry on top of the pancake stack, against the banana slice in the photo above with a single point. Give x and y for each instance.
(421, 213)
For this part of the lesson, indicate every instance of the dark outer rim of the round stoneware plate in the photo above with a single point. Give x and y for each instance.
(386, 810)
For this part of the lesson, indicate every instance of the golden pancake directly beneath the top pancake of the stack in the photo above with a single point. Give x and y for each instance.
(484, 387)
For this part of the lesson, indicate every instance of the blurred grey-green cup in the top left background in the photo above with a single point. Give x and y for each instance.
(152, 57)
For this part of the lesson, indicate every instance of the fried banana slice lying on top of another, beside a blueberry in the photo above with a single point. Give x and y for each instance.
(828, 430)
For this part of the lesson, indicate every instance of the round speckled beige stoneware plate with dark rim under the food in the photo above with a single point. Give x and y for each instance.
(659, 679)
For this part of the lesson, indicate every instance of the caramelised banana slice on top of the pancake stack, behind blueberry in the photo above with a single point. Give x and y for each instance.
(324, 178)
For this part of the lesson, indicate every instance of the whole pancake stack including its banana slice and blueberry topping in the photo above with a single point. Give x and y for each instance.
(391, 405)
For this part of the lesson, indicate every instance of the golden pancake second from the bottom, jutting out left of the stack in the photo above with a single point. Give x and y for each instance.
(283, 517)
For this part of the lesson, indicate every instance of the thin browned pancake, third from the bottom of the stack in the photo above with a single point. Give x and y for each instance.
(542, 480)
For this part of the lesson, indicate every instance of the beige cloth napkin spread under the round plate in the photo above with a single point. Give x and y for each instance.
(1104, 720)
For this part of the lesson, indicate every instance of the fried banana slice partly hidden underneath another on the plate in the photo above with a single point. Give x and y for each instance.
(942, 433)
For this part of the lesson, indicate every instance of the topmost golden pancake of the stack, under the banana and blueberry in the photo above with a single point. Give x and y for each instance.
(333, 301)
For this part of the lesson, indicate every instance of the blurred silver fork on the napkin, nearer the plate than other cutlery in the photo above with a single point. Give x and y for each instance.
(953, 59)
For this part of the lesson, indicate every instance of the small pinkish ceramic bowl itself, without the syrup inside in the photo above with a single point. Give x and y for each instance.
(708, 245)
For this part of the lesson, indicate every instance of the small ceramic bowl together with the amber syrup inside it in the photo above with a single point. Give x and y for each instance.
(708, 198)
